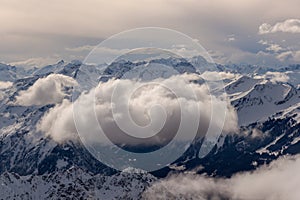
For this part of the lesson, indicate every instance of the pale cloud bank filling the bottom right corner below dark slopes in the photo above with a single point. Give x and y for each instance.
(280, 180)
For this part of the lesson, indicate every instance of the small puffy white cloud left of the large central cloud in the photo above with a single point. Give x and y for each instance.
(48, 90)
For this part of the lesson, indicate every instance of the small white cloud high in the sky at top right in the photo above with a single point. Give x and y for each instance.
(288, 26)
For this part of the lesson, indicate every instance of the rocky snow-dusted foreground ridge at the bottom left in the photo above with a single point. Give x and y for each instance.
(74, 183)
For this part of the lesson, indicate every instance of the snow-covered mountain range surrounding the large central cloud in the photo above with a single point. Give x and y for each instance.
(40, 168)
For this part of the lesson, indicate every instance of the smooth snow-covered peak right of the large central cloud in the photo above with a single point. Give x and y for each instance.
(263, 100)
